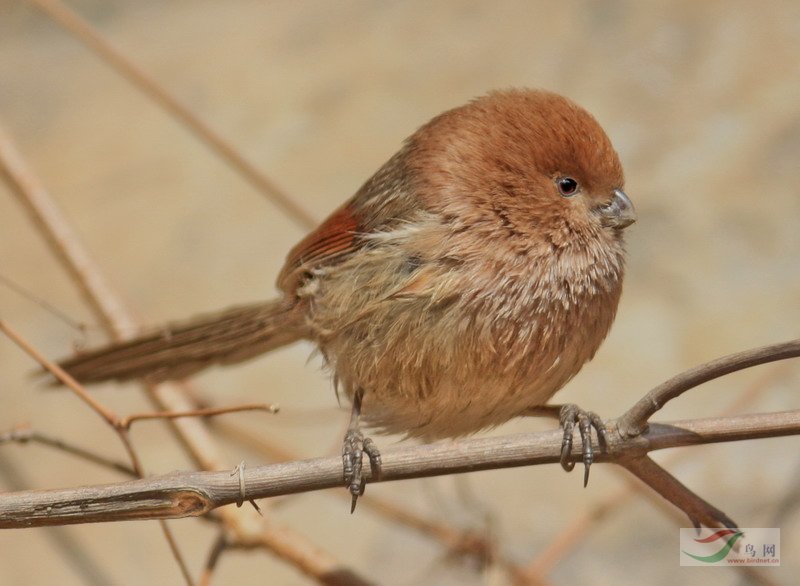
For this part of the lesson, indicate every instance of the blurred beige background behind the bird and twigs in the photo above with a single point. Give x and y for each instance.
(702, 100)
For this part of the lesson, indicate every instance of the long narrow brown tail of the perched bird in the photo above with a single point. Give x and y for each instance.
(182, 349)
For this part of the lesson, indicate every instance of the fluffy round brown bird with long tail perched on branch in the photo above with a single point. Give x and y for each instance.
(463, 285)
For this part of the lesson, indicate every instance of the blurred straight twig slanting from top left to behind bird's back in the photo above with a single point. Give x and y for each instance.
(101, 47)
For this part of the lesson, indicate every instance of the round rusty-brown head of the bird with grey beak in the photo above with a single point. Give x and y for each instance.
(527, 163)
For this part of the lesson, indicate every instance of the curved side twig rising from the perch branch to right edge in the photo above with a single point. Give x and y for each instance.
(632, 422)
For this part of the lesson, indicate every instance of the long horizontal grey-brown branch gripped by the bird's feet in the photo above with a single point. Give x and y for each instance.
(196, 493)
